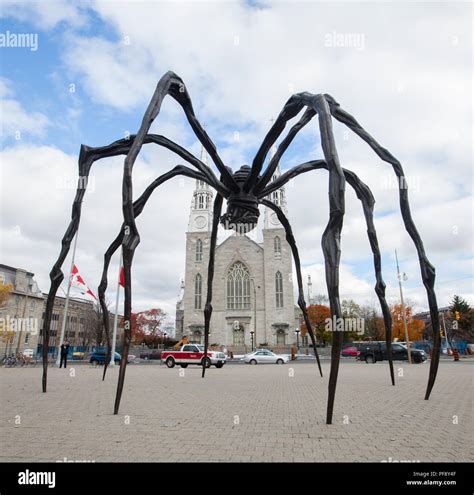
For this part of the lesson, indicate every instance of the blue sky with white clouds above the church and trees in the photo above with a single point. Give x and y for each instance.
(403, 69)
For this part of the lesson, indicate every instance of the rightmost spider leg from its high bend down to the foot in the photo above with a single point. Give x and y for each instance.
(428, 272)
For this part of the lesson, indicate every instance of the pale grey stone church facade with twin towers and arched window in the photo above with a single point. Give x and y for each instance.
(253, 299)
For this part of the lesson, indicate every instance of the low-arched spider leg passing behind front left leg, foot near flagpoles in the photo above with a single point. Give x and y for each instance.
(138, 206)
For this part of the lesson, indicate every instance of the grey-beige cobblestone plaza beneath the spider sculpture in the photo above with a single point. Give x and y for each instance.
(238, 413)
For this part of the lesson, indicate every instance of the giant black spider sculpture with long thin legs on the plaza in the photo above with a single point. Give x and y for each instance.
(244, 190)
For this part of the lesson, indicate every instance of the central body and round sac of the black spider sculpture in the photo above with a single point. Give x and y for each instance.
(242, 208)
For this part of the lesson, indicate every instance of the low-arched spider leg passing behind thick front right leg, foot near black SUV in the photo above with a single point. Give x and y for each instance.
(367, 199)
